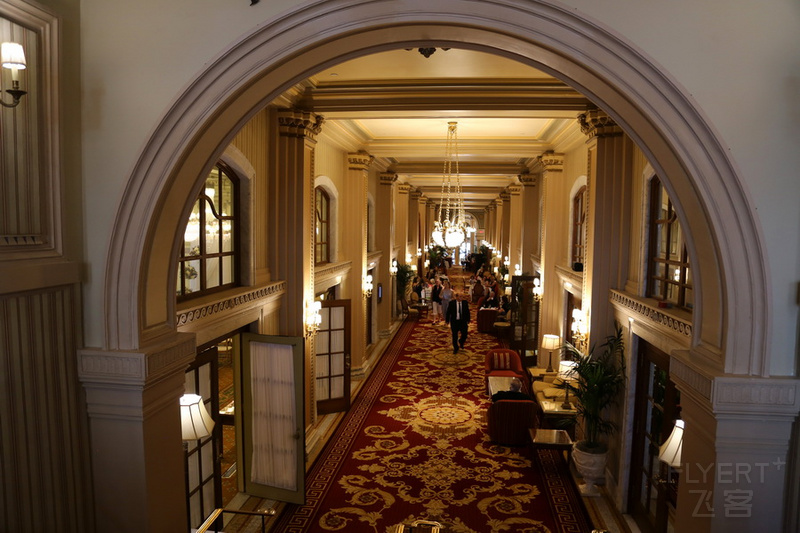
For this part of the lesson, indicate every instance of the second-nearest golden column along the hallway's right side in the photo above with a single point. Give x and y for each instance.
(554, 235)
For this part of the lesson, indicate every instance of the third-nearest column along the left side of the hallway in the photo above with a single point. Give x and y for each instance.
(384, 237)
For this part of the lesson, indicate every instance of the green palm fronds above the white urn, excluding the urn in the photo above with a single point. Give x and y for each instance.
(595, 382)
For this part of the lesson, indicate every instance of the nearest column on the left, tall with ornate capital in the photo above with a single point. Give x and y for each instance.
(292, 228)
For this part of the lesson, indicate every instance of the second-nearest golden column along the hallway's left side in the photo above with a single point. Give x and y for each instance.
(353, 216)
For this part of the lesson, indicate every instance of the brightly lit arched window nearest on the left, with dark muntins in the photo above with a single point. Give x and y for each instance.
(208, 261)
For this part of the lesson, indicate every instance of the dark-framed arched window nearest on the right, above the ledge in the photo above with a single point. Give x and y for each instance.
(669, 276)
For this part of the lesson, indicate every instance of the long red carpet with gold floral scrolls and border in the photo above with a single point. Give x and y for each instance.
(414, 446)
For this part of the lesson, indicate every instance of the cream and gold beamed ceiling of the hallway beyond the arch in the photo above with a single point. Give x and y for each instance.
(397, 105)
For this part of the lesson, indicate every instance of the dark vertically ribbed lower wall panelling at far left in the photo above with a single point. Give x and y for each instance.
(45, 468)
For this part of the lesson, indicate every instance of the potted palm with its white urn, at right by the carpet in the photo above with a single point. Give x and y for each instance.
(595, 381)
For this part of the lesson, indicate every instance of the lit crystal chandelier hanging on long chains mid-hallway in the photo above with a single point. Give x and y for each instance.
(450, 229)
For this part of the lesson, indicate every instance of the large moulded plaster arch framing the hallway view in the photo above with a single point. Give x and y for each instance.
(724, 243)
